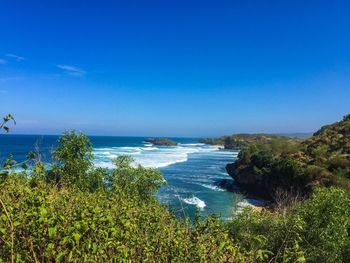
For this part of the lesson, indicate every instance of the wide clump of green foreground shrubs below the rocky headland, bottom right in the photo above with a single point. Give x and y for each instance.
(317, 230)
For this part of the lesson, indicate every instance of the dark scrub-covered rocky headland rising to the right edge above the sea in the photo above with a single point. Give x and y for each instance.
(292, 165)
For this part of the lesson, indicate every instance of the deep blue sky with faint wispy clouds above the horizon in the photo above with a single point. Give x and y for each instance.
(174, 68)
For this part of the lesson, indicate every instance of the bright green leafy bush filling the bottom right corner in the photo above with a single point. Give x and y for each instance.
(327, 235)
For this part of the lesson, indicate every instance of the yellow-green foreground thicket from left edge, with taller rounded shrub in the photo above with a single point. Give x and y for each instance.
(66, 215)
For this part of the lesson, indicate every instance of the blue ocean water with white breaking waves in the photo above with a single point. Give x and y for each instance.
(194, 172)
